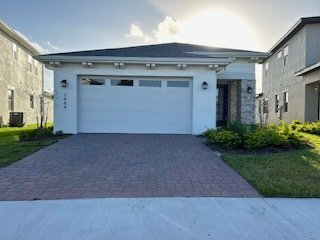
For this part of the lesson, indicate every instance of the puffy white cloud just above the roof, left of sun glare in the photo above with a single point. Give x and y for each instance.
(164, 31)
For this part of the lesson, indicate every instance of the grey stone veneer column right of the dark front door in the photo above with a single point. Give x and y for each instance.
(247, 101)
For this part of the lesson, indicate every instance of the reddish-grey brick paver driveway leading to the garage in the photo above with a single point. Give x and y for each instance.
(122, 165)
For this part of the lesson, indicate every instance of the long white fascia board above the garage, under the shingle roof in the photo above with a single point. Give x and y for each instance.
(133, 60)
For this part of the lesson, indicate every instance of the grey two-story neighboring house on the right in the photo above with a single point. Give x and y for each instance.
(291, 75)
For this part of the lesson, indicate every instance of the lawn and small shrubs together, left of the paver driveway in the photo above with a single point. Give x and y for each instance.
(13, 149)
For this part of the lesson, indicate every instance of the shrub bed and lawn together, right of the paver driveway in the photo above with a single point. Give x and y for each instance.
(288, 166)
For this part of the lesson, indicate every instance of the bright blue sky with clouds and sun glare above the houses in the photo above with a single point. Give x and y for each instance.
(74, 25)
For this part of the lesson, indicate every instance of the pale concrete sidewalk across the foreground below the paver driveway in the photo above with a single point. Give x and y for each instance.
(161, 218)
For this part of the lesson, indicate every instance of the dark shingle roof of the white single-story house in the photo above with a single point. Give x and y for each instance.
(166, 50)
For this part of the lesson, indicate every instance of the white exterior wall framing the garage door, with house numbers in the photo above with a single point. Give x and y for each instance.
(66, 114)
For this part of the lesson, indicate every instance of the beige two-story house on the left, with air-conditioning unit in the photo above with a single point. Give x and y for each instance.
(21, 78)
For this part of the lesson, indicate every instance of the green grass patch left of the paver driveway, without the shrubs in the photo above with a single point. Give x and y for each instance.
(11, 150)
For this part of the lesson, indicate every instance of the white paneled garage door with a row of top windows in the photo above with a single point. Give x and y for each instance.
(108, 105)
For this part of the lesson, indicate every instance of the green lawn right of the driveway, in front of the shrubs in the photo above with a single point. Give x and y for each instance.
(287, 174)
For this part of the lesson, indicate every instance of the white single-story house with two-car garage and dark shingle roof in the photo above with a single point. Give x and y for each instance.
(163, 88)
